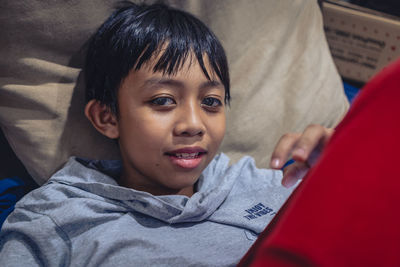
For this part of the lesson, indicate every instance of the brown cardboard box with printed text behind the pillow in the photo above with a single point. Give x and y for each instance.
(362, 41)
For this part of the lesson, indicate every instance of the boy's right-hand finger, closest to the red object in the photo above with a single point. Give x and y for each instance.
(313, 138)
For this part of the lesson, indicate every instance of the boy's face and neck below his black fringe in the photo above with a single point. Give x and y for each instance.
(169, 127)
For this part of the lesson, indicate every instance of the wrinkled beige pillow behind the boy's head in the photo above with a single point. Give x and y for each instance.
(283, 77)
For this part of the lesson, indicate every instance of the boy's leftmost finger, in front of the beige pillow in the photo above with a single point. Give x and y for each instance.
(283, 150)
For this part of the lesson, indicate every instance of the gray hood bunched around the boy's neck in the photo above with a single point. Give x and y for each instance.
(99, 177)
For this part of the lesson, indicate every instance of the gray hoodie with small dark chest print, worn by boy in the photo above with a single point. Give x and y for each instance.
(82, 217)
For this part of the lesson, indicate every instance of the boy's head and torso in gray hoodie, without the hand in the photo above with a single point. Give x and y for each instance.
(157, 82)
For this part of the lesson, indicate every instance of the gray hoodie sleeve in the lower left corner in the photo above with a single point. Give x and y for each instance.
(31, 239)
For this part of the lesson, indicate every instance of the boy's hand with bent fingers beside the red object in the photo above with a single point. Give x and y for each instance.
(305, 148)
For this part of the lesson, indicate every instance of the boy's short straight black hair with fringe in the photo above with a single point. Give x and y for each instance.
(134, 33)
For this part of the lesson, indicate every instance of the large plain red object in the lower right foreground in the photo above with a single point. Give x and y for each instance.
(346, 211)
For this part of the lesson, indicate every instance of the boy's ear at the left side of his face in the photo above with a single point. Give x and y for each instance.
(102, 118)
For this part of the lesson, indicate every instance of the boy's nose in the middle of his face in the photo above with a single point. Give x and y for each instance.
(190, 122)
